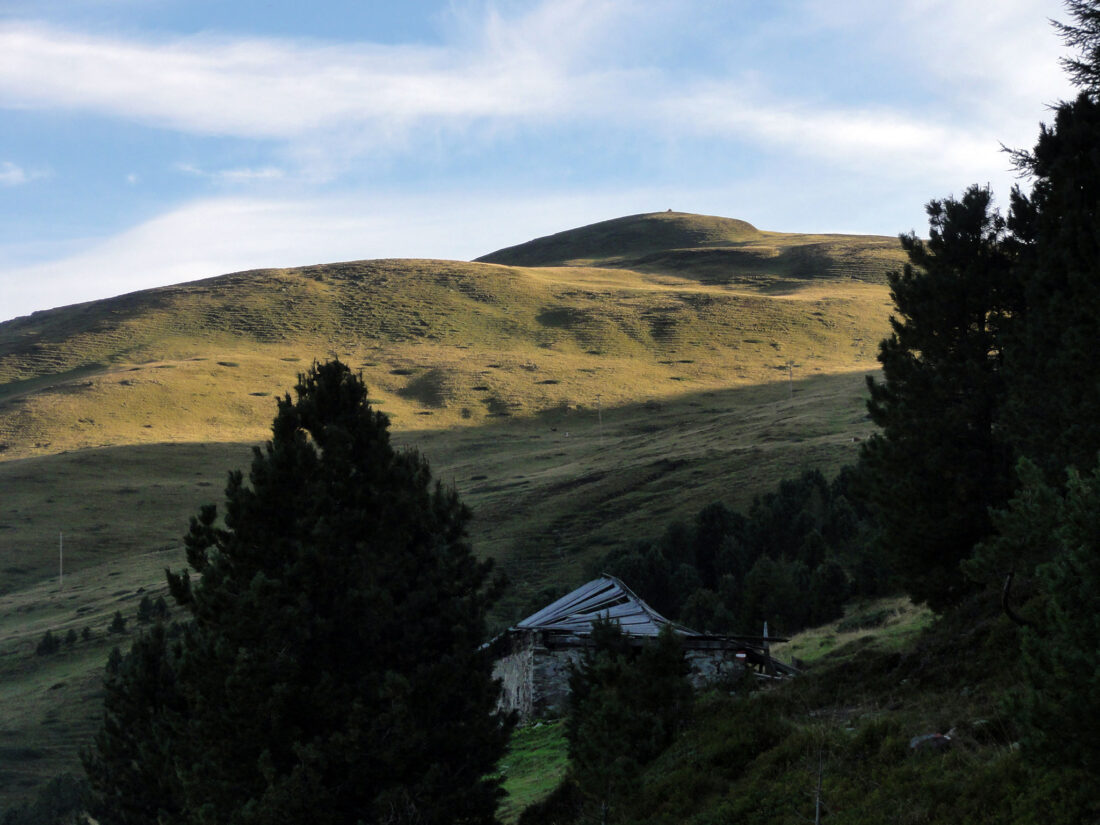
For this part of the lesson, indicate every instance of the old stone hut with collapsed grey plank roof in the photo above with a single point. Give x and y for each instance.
(535, 656)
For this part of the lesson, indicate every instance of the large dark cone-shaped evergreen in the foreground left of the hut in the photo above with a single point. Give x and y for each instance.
(333, 669)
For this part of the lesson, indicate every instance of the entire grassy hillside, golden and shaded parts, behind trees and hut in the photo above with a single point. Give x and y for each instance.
(575, 408)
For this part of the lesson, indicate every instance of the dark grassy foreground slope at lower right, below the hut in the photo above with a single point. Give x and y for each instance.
(879, 678)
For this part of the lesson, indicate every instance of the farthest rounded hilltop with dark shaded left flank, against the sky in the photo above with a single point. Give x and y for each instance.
(712, 250)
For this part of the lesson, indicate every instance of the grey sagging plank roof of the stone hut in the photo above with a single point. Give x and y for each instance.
(602, 599)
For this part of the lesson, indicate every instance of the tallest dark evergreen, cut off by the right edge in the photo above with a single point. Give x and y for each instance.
(1054, 412)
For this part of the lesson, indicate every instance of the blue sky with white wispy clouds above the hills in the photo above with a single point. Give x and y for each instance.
(151, 142)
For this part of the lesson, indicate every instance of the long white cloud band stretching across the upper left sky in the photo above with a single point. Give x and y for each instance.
(269, 89)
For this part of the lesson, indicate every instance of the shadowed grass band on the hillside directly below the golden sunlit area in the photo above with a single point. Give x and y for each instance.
(549, 492)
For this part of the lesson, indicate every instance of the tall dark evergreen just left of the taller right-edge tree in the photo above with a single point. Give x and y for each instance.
(940, 465)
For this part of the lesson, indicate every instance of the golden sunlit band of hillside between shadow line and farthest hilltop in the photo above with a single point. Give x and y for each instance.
(441, 344)
